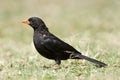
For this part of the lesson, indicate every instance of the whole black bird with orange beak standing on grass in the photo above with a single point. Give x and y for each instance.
(52, 47)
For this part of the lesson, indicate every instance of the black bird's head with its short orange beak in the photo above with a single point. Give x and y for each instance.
(34, 22)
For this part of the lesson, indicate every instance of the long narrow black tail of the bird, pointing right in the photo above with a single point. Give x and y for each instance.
(99, 63)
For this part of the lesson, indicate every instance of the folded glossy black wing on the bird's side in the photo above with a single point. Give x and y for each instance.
(54, 44)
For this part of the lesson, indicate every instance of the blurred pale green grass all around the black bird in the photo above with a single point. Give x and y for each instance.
(92, 27)
